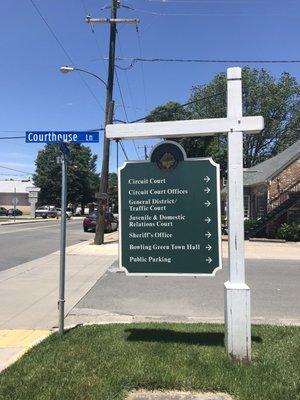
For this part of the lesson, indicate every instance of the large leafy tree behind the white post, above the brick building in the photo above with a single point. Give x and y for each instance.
(277, 100)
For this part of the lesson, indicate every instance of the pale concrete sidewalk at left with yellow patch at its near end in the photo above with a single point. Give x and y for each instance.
(29, 294)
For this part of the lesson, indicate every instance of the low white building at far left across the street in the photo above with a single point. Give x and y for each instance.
(10, 189)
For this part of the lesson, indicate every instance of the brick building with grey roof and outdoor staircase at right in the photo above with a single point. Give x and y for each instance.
(272, 192)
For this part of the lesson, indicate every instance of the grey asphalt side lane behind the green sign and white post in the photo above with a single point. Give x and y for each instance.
(275, 295)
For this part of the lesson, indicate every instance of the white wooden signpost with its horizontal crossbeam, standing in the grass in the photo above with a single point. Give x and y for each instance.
(237, 293)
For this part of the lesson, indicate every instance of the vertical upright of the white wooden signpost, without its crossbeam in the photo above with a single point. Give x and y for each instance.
(237, 293)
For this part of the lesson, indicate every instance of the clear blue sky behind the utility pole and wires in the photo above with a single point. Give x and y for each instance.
(36, 96)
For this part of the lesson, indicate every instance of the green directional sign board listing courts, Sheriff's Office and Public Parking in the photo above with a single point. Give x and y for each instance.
(170, 217)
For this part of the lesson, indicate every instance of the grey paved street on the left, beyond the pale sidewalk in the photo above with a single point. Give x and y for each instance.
(23, 243)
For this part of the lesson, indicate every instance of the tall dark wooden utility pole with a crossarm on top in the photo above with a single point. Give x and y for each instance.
(102, 201)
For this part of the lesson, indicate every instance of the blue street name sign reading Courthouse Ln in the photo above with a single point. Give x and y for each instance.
(61, 136)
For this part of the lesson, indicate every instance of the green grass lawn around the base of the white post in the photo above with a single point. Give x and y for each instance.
(105, 362)
